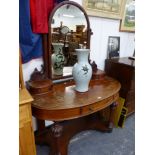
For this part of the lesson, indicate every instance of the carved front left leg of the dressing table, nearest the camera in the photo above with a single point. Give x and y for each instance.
(58, 146)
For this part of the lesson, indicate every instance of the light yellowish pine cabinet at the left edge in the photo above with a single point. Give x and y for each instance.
(26, 135)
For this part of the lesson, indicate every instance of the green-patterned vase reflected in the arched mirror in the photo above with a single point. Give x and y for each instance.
(58, 59)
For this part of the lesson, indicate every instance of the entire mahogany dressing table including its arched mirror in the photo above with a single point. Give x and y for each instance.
(71, 111)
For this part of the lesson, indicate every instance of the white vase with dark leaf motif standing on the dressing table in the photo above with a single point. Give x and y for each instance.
(82, 71)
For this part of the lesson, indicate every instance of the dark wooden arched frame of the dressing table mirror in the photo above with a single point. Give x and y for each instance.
(48, 50)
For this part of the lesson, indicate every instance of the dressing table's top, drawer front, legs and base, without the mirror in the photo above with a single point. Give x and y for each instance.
(73, 112)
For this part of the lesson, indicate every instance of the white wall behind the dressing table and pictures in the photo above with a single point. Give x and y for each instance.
(102, 28)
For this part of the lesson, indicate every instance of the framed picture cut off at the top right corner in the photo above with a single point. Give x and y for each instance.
(127, 24)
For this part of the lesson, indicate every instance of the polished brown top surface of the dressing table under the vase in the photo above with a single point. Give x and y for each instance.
(64, 95)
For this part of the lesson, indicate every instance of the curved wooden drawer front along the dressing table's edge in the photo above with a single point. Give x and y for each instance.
(72, 113)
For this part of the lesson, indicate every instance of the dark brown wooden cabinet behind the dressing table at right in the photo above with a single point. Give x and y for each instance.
(123, 69)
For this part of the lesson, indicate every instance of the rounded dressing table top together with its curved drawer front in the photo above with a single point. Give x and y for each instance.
(65, 102)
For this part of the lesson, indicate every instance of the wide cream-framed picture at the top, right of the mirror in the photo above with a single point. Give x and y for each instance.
(104, 8)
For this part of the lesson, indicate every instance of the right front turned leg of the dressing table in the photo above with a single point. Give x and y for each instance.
(111, 118)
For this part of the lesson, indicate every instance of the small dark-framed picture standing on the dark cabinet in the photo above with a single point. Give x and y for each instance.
(113, 47)
